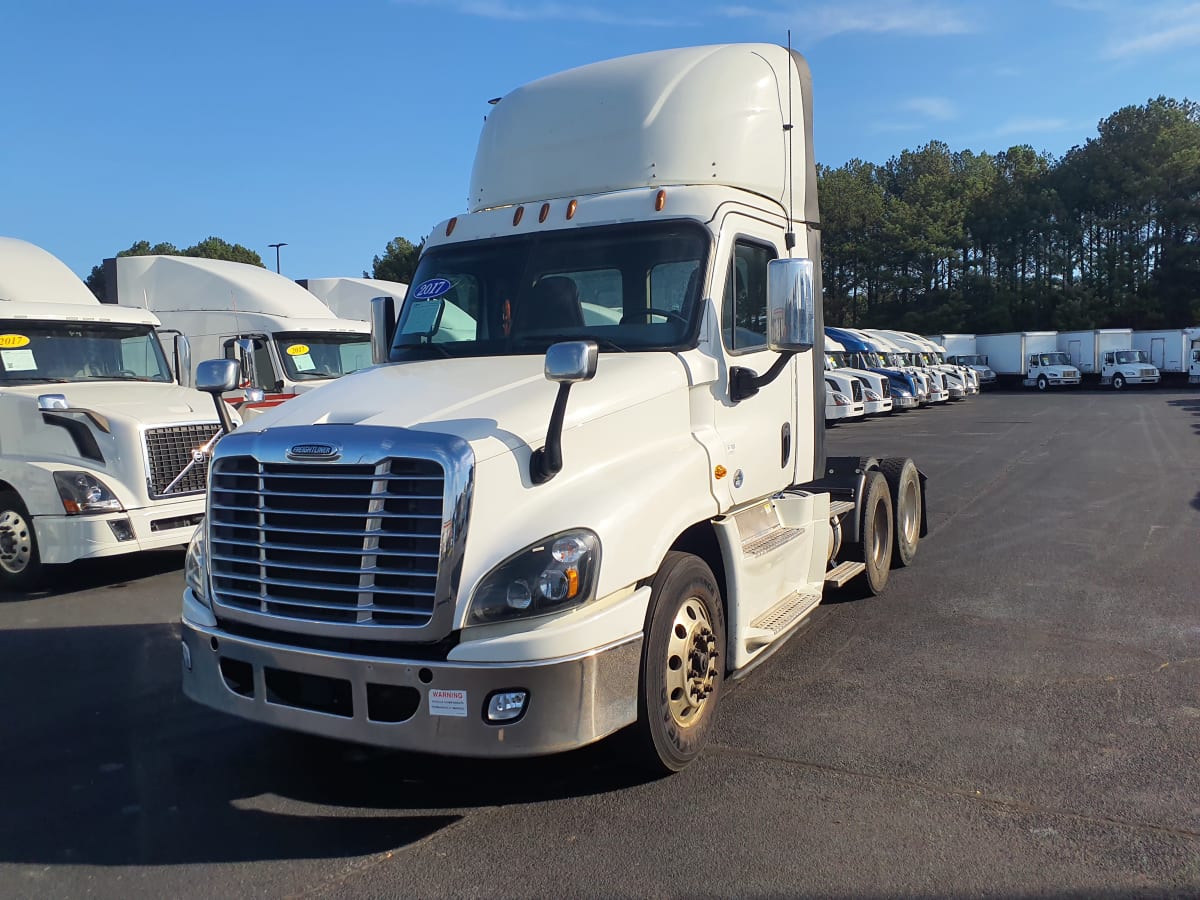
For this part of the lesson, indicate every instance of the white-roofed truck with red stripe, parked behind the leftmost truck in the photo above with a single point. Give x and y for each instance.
(289, 340)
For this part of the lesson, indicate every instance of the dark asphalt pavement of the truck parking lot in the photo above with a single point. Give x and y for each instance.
(1018, 715)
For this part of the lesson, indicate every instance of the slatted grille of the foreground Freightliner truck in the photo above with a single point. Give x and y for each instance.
(355, 544)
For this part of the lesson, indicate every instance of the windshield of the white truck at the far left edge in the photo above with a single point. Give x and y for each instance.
(34, 352)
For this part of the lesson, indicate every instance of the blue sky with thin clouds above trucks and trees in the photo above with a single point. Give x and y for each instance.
(335, 127)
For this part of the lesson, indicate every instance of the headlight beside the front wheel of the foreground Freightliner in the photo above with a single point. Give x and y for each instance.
(550, 577)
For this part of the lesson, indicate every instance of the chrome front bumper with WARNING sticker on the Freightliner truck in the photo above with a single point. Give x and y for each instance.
(573, 701)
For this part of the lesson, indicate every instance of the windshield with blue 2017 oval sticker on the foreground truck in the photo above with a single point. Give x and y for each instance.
(627, 287)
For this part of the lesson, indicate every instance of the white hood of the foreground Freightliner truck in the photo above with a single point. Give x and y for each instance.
(496, 404)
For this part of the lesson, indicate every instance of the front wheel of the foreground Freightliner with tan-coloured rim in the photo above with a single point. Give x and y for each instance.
(683, 664)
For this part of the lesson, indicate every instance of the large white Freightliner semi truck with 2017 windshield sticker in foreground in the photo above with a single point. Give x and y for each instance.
(568, 523)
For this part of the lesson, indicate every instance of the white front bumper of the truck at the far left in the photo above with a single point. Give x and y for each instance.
(65, 539)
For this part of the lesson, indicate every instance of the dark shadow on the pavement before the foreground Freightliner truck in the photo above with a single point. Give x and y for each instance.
(107, 764)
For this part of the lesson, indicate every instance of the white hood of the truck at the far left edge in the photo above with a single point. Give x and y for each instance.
(139, 403)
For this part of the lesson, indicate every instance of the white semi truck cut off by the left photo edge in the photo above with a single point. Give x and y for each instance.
(100, 447)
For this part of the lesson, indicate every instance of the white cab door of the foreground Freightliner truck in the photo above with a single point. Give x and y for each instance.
(759, 433)
